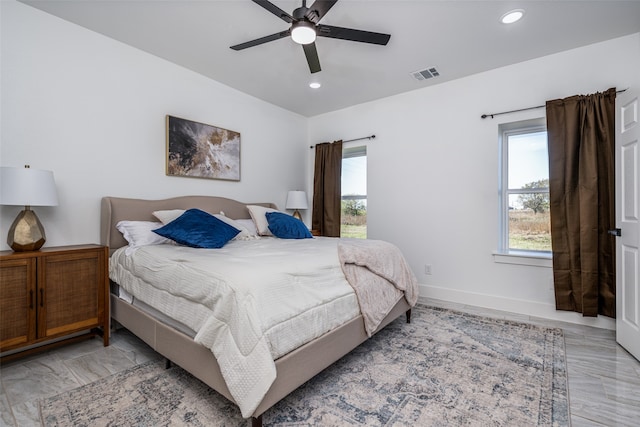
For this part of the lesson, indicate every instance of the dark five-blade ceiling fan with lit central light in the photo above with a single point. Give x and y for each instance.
(305, 27)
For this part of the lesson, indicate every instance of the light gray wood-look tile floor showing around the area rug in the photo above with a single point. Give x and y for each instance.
(604, 380)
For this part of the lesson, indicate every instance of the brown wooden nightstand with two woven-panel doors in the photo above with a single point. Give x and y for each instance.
(49, 294)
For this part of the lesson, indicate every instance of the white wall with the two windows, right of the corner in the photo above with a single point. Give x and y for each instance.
(433, 170)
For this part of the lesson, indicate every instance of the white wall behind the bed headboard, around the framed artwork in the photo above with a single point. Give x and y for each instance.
(92, 110)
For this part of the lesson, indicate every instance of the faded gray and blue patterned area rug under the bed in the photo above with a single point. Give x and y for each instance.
(446, 368)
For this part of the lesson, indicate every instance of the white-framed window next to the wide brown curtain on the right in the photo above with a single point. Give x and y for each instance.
(525, 225)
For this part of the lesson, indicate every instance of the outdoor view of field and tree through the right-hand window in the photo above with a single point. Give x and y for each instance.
(529, 222)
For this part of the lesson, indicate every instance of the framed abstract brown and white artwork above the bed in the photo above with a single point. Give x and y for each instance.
(198, 150)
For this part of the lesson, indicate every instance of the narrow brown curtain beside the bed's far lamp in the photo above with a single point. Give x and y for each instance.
(327, 189)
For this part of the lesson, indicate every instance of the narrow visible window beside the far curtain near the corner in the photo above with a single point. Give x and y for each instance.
(353, 216)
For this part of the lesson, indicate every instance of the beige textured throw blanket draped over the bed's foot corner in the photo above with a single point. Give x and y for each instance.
(379, 275)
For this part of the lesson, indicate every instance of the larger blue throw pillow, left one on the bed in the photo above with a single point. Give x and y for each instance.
(198, 229)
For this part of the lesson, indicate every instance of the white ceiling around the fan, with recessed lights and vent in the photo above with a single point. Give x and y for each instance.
(460, 38)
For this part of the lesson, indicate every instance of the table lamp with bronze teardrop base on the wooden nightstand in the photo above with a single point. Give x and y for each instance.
(27, 187)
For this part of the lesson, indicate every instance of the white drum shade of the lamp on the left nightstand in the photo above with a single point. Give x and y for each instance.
(27, 187)
